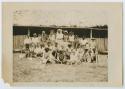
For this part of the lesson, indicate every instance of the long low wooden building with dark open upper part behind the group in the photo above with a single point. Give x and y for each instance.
(99, 33)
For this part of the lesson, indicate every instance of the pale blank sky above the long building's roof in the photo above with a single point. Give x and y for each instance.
(61, 15)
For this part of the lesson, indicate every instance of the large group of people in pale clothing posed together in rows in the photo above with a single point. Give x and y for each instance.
(60, 47)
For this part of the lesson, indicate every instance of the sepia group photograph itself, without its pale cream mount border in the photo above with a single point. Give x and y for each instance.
(64, 43)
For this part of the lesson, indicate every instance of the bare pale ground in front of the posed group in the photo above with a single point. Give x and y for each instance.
(26, 70)
